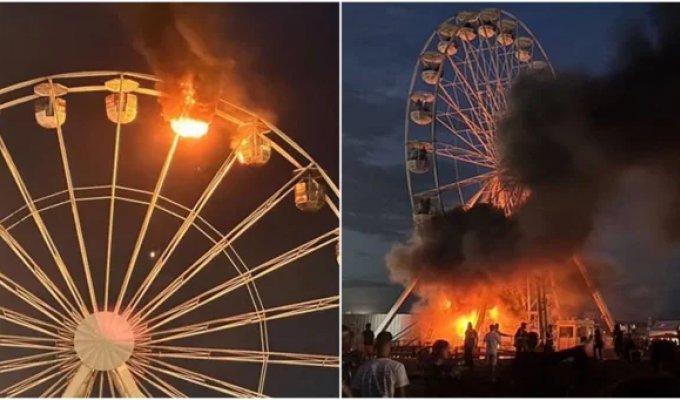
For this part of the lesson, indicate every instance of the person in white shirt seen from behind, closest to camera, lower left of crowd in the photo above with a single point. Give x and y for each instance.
(382, 376)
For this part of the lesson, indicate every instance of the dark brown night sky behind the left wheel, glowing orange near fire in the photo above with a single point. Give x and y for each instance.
(285, 62)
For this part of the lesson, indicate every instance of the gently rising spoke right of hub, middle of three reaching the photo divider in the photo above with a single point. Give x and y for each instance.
(254, 317)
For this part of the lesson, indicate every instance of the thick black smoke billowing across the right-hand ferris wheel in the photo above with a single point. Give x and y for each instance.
(572, 142)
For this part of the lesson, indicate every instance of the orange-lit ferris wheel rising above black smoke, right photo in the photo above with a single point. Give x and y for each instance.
(458, 92)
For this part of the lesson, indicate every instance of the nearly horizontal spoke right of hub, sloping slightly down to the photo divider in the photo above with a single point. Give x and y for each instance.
(248, 356)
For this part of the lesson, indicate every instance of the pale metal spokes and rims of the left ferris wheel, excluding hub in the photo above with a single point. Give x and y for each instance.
(61, 313)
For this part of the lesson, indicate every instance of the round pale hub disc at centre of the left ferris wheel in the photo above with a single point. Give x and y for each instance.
(104, 341)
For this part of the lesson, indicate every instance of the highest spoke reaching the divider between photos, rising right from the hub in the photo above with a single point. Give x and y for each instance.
(240, 280)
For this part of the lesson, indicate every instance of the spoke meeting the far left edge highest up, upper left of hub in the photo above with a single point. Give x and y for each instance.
(47, 238)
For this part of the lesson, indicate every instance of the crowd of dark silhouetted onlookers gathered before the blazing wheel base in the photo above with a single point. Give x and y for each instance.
(371, 371)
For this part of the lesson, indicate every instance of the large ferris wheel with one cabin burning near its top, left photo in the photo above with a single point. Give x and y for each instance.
(125, 284)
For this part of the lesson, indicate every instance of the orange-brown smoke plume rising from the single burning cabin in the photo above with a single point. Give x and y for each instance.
(187, 44)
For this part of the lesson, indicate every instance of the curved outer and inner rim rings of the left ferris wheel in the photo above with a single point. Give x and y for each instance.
(289, 150)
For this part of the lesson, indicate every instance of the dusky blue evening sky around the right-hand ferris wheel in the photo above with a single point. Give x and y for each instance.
(381, 43)
